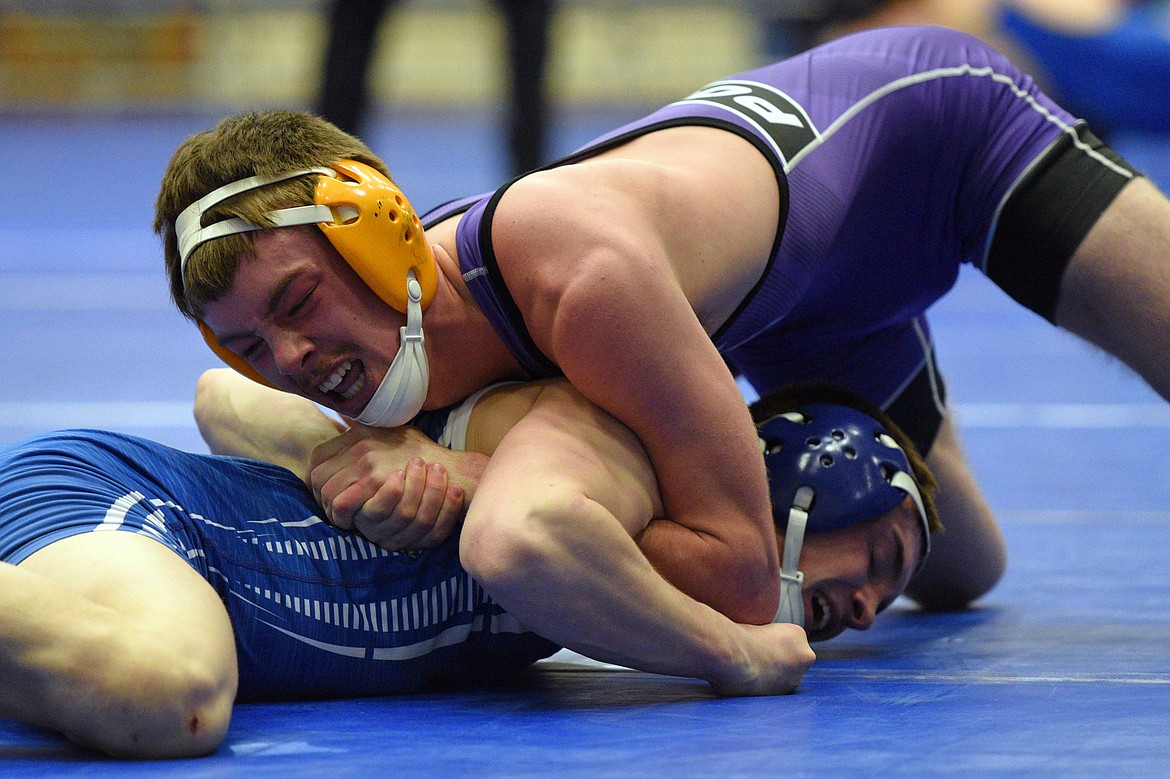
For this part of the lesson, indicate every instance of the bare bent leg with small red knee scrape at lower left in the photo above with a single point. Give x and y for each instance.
(115, 643)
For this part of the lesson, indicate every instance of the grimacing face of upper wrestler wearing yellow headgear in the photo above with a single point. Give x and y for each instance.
(305, 321)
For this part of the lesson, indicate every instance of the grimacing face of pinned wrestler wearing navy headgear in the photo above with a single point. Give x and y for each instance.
(854, 574)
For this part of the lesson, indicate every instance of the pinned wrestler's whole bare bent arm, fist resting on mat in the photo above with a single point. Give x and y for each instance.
(556, 550)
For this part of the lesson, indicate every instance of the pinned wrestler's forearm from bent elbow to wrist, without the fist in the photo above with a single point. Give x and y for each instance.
(581, 582)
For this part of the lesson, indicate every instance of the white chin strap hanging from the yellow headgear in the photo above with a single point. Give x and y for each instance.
(403, 390)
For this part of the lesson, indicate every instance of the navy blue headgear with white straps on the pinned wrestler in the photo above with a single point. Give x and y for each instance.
(829, 467)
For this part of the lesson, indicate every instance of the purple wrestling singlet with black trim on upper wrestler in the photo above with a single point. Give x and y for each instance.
(899, 153)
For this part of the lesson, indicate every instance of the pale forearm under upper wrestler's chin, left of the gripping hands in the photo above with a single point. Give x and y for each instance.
(242, 418)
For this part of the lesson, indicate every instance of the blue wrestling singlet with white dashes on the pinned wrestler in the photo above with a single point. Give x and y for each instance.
(316, 612)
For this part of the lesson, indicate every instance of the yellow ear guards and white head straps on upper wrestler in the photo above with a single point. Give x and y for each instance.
(363, 215)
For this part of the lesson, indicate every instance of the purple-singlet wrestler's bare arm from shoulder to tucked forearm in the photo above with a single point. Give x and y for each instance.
(615, 319)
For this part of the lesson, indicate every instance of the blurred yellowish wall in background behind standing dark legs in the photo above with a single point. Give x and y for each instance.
(223, 56)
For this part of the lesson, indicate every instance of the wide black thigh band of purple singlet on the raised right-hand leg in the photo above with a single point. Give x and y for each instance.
(1048, 217)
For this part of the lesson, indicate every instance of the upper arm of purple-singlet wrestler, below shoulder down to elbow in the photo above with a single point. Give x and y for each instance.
(636, 348)
